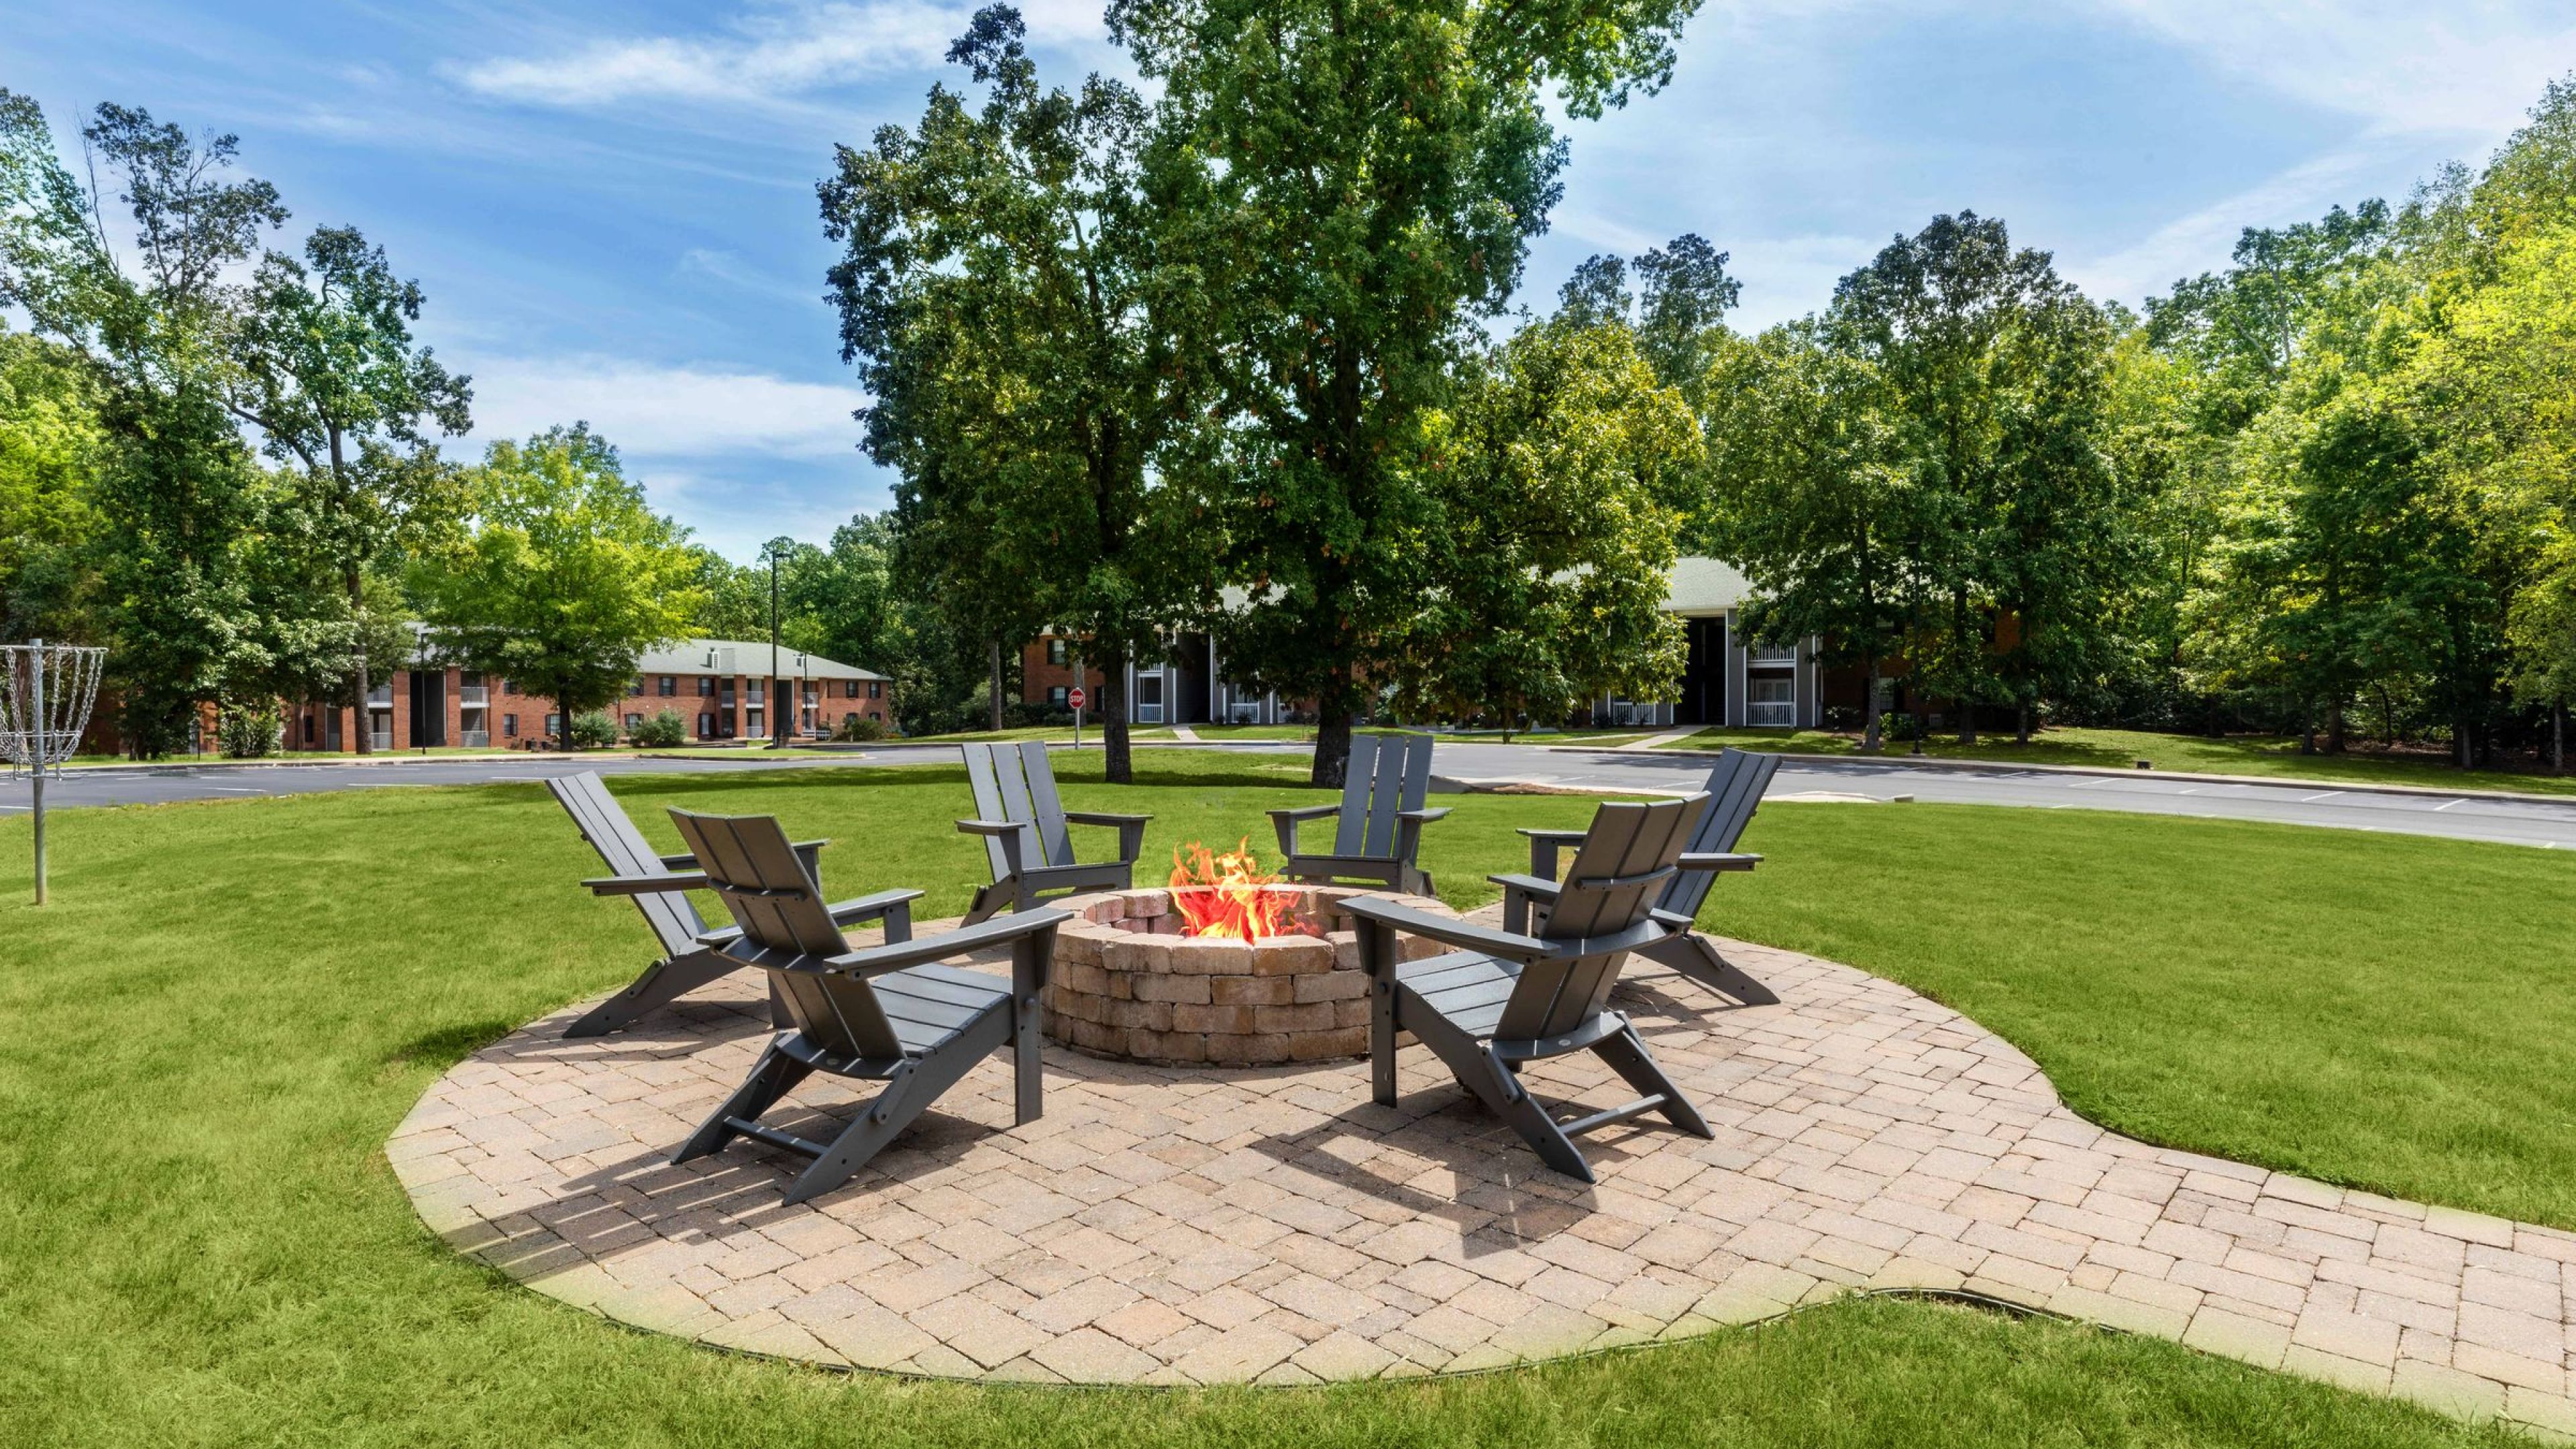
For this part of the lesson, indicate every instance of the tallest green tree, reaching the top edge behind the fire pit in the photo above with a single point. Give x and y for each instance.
(1356, 184)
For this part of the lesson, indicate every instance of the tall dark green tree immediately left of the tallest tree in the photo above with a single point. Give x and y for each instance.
(1001, 300)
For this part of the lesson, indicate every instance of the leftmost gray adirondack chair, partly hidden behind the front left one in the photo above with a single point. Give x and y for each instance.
(687, 958)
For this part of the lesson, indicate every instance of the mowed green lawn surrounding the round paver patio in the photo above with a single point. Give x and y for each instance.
(228, 1009)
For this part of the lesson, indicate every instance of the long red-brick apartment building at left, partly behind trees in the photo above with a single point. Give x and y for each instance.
(699, 679)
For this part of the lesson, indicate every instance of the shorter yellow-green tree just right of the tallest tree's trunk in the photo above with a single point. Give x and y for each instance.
(1560, 481)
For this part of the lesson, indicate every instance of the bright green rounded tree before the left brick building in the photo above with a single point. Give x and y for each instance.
(565, 576)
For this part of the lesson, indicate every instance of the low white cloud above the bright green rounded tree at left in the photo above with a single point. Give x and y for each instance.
(666, 411)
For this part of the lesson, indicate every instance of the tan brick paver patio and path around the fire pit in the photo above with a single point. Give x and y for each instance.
(1274, 1226)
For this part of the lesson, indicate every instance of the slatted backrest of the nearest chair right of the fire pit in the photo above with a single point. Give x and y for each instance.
(1616, 875)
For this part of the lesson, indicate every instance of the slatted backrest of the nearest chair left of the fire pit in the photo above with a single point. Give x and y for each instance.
(787, 924)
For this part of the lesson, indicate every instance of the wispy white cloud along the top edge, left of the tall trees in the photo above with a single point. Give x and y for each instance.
(772, 55)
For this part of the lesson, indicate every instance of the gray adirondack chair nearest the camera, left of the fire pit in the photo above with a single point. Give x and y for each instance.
(890, 1015)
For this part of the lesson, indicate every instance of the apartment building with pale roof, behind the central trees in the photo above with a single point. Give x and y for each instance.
(1727, 677)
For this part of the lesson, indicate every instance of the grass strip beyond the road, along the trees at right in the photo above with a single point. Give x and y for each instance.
(2121, 749)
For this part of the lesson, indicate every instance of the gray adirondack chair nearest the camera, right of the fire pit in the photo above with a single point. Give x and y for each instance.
(1508, 999)
